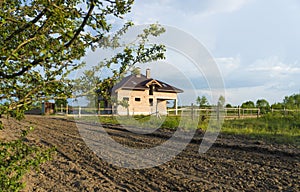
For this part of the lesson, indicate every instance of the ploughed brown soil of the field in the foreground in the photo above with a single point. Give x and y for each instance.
(233, 163)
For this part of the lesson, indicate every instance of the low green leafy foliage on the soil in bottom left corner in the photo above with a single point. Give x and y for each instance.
(17, 158)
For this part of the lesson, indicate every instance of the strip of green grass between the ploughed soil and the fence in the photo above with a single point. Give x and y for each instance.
(274, 128)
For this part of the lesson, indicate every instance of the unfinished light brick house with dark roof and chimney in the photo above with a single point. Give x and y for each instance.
(144, 95)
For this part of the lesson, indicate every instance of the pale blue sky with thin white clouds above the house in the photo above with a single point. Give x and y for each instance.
(254, 43)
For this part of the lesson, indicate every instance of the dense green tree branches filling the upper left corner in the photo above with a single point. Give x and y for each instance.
(43, 41)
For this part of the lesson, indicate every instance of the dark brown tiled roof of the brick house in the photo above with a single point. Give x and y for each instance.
(134, 82)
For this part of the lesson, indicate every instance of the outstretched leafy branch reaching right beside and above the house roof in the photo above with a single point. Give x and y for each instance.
(94, 86)
